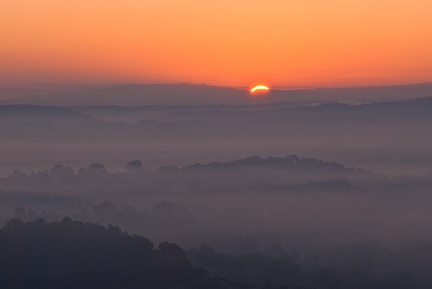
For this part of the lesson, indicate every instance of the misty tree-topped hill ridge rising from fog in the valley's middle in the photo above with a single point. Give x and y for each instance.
(289, 174)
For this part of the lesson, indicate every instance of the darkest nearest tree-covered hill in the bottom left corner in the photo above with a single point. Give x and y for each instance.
(72, 254)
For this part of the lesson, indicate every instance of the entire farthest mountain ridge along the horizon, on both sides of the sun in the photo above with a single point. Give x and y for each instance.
(190, 94)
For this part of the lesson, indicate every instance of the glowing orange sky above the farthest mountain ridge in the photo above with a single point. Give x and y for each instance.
(222, 42)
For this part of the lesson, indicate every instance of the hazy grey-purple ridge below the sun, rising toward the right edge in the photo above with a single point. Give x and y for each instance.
(398, 111)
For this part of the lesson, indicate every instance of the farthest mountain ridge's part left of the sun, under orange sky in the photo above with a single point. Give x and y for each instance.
(139, 94)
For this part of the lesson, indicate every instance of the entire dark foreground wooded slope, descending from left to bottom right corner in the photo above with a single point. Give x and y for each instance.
(73, 254)
